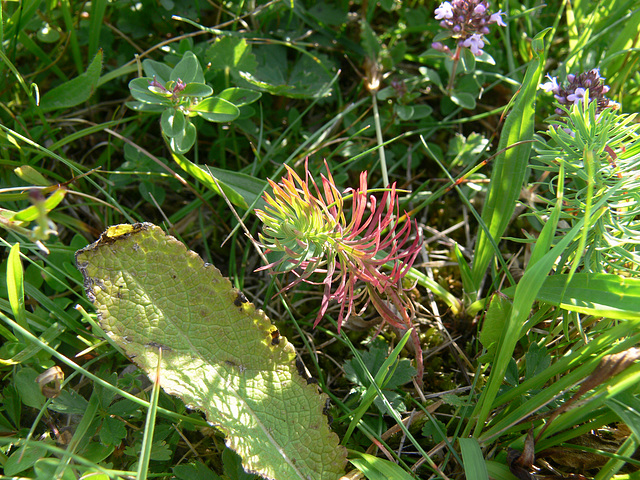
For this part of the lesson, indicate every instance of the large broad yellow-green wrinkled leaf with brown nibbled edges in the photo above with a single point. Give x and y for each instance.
(219, 354)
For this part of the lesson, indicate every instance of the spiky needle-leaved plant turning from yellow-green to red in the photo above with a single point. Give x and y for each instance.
(310, 230)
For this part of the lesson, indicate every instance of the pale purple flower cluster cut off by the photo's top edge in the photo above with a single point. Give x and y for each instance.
(468, 21)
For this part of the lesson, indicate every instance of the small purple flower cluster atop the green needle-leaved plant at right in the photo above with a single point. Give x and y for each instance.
(575, 91)
